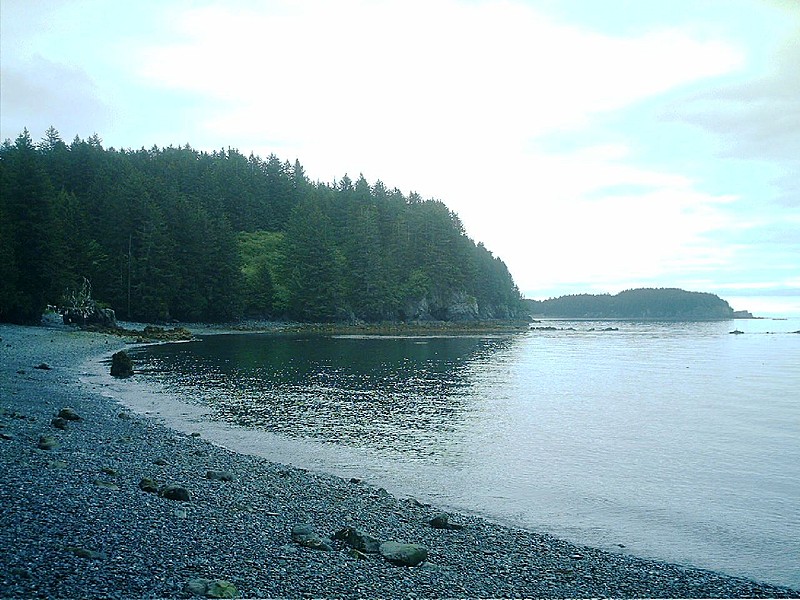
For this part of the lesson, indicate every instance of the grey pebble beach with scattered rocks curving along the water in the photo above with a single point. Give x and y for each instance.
(75, 520)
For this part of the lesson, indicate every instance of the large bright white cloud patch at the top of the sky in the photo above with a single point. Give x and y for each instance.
(409, 74)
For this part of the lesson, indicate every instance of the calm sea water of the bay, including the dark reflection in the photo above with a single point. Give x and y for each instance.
(676, 441)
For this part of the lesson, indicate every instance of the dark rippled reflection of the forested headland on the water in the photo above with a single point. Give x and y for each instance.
(387, 394)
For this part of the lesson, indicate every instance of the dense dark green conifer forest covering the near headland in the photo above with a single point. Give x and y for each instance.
(174, 233)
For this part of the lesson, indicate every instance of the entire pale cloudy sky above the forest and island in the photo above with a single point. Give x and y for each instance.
(594, 146)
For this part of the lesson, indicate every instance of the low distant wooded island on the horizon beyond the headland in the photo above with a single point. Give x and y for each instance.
(643, 303)
